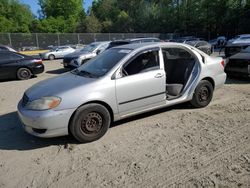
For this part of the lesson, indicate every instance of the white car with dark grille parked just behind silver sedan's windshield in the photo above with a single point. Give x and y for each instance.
(77, 58)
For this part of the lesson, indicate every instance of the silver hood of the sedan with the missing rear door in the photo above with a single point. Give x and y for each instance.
(57, 85)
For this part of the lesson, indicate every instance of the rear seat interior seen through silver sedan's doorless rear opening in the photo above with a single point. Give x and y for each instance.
(178, 66)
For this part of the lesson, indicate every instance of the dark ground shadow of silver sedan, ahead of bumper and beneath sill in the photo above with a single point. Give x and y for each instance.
(13, 137)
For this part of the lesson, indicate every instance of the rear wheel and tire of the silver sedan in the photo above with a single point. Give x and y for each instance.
(203, 94)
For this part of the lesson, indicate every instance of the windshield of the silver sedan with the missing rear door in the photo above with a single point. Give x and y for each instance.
(102, 63)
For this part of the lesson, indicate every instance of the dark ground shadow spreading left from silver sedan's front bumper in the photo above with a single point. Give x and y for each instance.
(13, 137)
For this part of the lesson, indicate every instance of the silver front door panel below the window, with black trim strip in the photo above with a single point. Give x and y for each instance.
(140, 91)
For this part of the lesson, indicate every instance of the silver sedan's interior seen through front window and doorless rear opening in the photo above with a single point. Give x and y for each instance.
(178, 64)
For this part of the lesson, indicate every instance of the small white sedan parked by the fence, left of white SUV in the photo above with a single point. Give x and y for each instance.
(56, 53)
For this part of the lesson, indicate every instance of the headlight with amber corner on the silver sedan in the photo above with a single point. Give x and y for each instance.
(44, 103)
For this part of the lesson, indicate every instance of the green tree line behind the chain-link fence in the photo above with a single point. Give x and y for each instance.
(204, 18)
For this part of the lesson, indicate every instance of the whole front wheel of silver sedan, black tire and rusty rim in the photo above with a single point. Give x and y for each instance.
(90, 122)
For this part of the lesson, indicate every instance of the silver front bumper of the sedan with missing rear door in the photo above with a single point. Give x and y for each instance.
(47, 123)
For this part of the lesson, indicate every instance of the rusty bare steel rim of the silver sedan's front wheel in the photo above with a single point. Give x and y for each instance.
(92, 123)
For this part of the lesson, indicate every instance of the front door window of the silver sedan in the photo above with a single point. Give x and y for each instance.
(144, 62)
